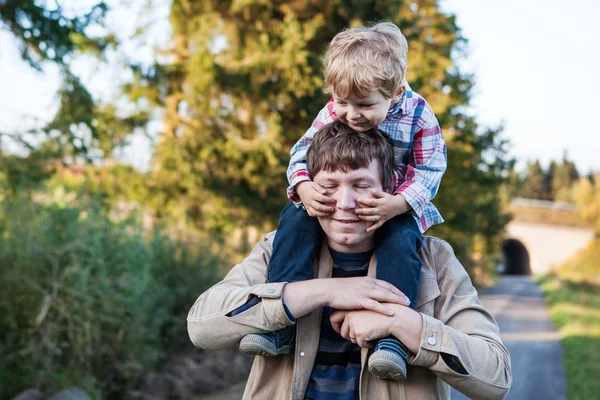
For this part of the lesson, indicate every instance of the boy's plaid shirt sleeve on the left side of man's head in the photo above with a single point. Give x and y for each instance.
(298, 169)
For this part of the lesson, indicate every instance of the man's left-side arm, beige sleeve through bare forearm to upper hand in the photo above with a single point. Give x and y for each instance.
(244, 302)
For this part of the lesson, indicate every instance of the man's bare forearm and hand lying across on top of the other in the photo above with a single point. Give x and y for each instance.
(303, 297)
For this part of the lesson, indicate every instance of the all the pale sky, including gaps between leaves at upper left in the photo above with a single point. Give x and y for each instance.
(536, 65)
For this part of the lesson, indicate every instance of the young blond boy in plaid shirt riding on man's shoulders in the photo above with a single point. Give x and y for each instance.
(365, 69)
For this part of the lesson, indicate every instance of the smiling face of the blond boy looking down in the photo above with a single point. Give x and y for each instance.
(364, 113)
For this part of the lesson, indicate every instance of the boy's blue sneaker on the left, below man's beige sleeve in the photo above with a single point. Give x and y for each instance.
(269, 344)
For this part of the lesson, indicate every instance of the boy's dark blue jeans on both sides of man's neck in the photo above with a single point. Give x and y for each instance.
(397, 243)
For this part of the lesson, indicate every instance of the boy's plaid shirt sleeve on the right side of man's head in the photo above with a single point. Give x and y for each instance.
(427, 165)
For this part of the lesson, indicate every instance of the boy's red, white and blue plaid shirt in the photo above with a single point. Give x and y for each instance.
(419, 150)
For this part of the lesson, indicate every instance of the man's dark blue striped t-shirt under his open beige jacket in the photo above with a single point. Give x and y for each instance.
(336, 373)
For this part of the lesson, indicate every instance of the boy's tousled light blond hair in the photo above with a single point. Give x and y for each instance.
(362, 59)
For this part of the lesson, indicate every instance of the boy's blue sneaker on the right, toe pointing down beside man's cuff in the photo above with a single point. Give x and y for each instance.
(388, 361)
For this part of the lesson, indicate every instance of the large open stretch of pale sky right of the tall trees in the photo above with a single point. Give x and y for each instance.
(537, 70)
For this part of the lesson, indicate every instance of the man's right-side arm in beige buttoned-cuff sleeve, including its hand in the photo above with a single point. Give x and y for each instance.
(461, 344)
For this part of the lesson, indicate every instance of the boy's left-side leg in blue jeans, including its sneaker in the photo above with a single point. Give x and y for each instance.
(292, 259)
